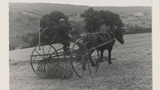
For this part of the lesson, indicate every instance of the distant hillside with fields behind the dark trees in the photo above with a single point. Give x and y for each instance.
(23, 17)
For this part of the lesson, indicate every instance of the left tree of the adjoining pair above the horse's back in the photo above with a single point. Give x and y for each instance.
(92, 20)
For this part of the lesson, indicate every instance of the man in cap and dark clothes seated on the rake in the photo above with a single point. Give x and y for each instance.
(61, 35)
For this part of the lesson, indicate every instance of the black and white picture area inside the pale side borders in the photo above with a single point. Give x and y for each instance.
(80, 44)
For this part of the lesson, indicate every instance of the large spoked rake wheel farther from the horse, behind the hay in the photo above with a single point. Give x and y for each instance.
(42, 57)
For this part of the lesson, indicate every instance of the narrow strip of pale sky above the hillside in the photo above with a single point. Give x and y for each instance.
(92, 2)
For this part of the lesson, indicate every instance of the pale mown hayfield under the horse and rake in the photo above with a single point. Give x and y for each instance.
(131, 70)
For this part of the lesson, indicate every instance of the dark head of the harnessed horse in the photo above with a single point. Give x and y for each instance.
(118, 35)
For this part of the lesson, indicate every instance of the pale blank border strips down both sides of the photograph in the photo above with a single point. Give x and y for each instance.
(4, 46)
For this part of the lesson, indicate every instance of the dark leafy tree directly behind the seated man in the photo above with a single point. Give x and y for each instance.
(47, 25)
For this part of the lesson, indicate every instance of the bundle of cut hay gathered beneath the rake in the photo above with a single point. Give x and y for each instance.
(55, 69)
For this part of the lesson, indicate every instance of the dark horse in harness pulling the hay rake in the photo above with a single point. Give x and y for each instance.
(103, 41)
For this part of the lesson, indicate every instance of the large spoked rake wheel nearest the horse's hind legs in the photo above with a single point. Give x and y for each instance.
(81, 60)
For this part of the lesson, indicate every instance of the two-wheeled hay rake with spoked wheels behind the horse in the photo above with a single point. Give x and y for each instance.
(45, 55)
